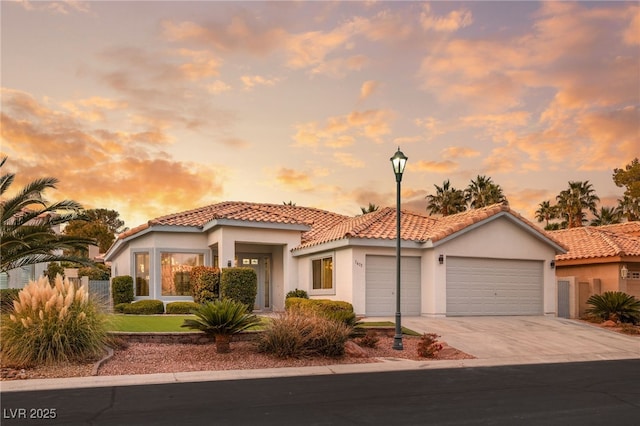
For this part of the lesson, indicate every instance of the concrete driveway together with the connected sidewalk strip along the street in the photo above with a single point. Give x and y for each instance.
(492, 340)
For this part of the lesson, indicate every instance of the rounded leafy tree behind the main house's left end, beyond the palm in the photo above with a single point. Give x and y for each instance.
(99, 224)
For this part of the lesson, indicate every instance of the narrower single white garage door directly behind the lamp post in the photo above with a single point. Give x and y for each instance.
(381, 285)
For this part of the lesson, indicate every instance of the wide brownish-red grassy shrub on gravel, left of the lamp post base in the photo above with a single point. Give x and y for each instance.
(297, 335)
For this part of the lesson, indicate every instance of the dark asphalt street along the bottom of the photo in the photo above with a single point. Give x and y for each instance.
(583, 393)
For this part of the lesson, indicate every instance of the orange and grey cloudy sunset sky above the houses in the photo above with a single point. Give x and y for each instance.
(151, 108)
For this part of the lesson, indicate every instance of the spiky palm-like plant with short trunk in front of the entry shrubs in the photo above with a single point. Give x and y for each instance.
(222, 319)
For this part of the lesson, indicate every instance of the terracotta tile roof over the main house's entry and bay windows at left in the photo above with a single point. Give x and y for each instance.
(316, 219)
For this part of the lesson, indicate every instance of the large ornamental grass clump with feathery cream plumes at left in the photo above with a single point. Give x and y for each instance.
(53, 324)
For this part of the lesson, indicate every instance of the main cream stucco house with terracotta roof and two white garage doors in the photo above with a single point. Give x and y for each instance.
(488, 261)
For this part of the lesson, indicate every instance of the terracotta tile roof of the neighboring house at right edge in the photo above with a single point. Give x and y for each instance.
(593, 242)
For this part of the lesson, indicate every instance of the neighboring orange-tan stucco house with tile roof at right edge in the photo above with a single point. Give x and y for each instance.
(599, 259)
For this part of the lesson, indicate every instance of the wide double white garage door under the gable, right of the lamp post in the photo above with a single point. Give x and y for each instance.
(494, 287)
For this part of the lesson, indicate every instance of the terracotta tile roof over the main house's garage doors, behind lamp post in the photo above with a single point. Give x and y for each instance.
(413, 226)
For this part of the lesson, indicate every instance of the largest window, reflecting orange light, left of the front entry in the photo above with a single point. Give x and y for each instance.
(176, 268)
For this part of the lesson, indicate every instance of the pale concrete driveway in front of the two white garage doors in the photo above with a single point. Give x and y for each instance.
(508, 340)
